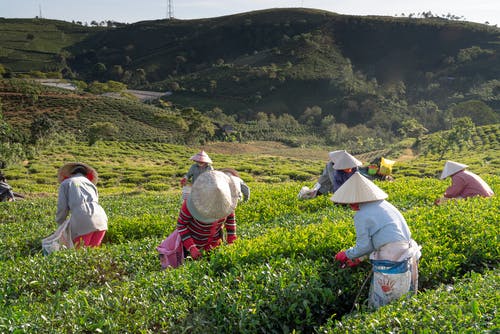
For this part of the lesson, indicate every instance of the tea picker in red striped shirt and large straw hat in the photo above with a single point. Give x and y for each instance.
(208, 209)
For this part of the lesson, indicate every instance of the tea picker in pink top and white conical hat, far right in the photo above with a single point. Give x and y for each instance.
(463, 183)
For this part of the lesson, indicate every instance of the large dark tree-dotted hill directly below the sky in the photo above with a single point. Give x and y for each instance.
(322, 68)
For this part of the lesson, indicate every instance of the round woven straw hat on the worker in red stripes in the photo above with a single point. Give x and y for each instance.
(213, 196)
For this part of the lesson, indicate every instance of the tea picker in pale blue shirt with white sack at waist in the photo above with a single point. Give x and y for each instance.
(382, 234)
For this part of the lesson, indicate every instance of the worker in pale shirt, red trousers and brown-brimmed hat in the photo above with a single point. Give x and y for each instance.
(78, 196)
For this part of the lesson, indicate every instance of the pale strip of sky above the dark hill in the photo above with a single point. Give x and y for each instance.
(130, 11)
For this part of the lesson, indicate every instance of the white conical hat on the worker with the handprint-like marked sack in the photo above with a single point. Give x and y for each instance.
(358, 189)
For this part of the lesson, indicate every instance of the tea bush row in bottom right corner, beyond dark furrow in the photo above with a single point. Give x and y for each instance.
(468, 306)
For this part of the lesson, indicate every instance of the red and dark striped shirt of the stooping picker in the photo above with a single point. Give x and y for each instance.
(204, 235)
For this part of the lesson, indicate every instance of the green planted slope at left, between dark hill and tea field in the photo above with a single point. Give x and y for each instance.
(74, 113)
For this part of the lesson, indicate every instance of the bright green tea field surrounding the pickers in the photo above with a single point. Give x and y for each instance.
(279, 276)
